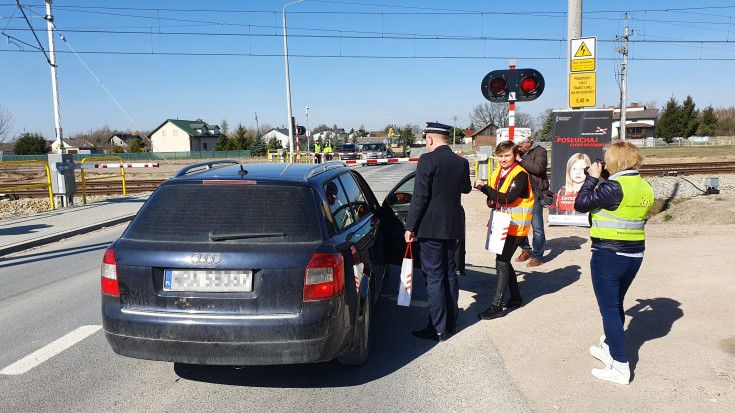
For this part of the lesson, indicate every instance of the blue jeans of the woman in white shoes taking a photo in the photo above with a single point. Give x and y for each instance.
(612, 274)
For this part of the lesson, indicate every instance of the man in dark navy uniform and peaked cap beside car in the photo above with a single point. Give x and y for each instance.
(436, 219)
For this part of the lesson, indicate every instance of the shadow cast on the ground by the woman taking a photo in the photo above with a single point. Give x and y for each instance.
(650, 319)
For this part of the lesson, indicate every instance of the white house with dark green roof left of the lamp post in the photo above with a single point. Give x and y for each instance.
(176, 135)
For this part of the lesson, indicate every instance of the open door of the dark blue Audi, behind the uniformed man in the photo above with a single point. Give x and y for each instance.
(394, 212)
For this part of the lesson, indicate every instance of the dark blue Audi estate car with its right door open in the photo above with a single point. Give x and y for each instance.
(252, 264)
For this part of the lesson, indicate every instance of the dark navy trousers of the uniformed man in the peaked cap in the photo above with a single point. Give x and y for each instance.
(442, 286)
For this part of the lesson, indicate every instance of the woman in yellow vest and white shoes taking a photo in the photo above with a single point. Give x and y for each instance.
(617, 210)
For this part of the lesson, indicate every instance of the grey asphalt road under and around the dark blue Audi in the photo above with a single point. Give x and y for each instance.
(54, 357)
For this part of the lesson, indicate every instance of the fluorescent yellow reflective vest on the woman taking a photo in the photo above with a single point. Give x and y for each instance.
(626, 223)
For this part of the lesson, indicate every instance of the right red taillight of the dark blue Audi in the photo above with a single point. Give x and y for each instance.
(325, 277)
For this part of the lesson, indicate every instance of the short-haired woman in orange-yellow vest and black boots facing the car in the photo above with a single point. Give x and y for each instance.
(509, 191)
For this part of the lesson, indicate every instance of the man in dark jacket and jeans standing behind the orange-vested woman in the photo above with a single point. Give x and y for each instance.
(533, 159)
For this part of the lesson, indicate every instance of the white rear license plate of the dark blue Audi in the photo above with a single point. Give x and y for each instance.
(216, 281)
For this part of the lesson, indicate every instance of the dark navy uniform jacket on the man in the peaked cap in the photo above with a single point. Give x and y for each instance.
(436, 210)
